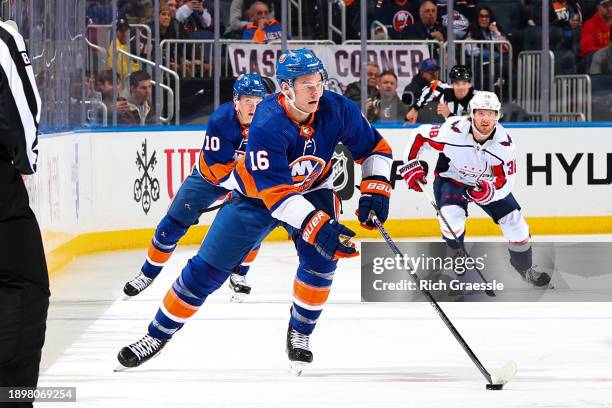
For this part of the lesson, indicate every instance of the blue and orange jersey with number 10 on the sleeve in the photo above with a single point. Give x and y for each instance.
(224, 144)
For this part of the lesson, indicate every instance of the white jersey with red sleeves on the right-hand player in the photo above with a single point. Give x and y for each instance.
(462, 158)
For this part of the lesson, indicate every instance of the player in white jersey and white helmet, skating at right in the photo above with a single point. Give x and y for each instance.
(476, 163)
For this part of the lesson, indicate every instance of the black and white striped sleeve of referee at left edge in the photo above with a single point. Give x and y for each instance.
(19, 101)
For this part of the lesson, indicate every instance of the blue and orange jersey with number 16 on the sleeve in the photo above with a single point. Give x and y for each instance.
(285, 159)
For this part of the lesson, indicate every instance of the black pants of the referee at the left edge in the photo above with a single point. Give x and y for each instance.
(24, 300)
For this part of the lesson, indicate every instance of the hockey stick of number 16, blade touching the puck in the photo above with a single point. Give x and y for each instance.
(501, 376)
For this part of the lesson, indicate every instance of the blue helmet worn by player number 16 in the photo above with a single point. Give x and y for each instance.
(296, 63)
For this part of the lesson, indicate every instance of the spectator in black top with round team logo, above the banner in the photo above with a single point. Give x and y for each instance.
(396, 15)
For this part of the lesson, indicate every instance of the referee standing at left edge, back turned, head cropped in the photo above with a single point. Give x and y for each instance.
(24, 282)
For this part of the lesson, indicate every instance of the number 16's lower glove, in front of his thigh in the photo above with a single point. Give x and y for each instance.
(330, 238)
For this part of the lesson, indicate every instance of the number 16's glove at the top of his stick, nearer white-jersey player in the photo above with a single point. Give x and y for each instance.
(375, 194)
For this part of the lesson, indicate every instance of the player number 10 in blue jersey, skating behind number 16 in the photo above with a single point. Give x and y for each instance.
(224, 144)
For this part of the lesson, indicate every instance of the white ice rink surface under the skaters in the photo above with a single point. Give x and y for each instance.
(365, 355)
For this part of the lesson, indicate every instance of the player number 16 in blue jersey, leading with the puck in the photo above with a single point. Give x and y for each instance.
(285, 179)
